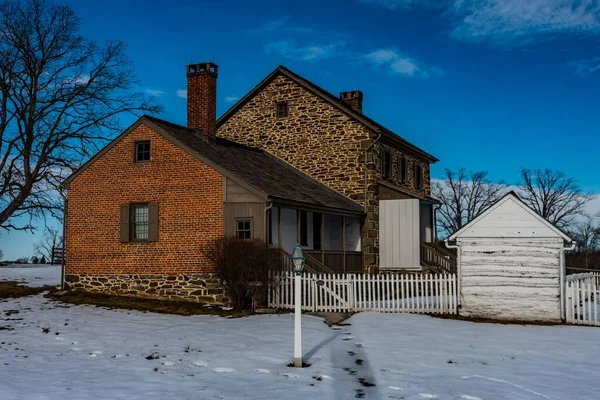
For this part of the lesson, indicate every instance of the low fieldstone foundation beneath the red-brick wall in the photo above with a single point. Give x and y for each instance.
(202, 288)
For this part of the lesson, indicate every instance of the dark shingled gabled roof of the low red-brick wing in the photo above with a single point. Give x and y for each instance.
(254, 169)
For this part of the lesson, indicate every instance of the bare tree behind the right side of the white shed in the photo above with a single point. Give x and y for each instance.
(553, 195)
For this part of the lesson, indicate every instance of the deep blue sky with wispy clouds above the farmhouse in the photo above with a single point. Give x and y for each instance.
(486, 85)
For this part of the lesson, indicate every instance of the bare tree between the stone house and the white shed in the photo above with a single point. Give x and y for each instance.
(463, 196)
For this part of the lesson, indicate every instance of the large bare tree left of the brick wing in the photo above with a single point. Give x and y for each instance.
(61, 96)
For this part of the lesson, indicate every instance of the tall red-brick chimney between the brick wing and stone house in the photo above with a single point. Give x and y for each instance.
(202, 97)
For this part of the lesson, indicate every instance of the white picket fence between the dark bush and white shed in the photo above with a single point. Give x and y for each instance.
(393, 293)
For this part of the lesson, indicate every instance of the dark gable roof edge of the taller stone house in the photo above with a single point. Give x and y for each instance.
(331, 99)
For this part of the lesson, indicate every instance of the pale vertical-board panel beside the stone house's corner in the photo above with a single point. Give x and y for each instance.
(399, 234)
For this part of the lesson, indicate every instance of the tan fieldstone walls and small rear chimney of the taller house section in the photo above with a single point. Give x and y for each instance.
(323, 142)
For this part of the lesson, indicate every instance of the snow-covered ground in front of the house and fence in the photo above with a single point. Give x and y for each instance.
(50, 350)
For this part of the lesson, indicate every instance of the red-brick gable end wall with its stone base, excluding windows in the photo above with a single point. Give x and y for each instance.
(190, 203)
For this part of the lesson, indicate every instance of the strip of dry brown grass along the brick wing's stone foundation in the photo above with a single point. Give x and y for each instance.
(142, 304)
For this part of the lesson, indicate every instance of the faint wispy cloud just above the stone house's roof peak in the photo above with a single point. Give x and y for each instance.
(291, 50)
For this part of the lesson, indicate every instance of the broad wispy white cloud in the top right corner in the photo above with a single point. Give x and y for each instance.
(510, 21)
